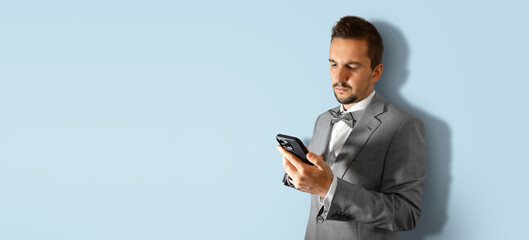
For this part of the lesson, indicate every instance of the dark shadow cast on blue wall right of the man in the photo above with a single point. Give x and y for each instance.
(438, 135)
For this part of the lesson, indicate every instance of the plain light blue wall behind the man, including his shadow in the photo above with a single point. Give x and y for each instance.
(156, 119)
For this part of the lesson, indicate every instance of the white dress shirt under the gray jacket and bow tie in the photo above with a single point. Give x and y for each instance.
(340, 132)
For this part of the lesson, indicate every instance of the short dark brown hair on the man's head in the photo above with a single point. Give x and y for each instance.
(353, 27)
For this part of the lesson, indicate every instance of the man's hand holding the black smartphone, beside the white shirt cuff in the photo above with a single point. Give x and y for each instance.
(314, 179)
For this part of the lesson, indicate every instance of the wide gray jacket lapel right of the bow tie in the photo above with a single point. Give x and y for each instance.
(366, 125)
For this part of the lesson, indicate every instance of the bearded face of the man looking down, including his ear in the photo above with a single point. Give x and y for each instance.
(352, 77)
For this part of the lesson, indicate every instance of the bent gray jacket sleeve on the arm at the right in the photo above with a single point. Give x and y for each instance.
(397, 206)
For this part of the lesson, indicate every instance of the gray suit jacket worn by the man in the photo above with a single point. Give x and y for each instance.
(380, 172)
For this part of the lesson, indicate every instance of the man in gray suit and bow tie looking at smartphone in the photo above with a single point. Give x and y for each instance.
(368, 155)
